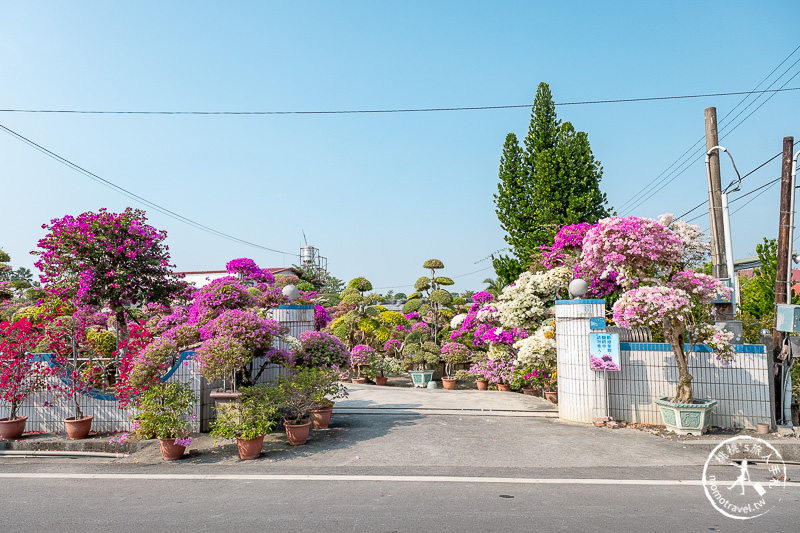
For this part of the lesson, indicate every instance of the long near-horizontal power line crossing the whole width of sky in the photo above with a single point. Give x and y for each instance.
(400, 110)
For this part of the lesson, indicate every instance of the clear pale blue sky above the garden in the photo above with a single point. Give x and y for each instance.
(376, 193)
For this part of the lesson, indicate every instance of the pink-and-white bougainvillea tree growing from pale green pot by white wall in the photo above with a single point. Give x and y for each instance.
(652, 263)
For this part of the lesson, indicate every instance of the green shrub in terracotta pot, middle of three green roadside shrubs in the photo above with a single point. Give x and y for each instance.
(247, 419)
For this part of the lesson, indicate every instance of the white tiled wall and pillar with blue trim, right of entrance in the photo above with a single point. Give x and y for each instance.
(649, 371)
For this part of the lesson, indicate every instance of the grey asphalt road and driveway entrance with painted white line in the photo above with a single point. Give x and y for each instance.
(393, 473)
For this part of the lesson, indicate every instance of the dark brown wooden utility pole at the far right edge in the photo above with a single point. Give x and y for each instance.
(782, 286)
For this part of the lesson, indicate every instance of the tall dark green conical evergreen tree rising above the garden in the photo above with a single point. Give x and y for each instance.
(554, 181)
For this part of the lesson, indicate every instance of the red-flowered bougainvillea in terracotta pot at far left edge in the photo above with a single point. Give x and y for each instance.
(20, 375)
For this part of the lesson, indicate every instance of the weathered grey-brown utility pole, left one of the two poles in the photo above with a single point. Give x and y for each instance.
(719, 268)
